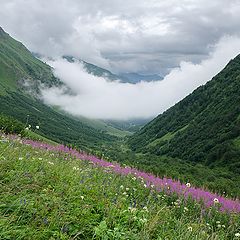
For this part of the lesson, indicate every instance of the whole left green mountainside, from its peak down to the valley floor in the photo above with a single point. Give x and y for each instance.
(21, 76)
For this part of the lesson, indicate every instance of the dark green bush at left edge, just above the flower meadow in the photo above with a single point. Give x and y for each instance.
(10, 125)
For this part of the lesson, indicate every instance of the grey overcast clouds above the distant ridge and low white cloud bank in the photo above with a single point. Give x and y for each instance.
(135, 36)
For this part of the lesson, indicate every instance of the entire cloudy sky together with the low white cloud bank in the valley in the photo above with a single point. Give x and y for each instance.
(187, 41)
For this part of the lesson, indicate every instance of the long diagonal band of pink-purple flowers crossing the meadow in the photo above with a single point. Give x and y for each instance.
(161, 184)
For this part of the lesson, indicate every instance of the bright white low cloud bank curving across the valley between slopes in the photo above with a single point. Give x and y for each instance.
(96, 97)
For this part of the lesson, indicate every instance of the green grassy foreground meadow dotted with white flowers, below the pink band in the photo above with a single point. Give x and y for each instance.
(48, 195)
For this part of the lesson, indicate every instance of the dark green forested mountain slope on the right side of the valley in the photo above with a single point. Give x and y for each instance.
(204, 127)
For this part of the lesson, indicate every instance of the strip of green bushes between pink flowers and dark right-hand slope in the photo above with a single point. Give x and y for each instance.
(217, 179)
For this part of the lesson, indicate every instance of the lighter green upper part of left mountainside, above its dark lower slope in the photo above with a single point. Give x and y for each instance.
(19, 69)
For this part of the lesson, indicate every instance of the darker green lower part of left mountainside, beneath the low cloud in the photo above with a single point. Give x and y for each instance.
(53, 125)
